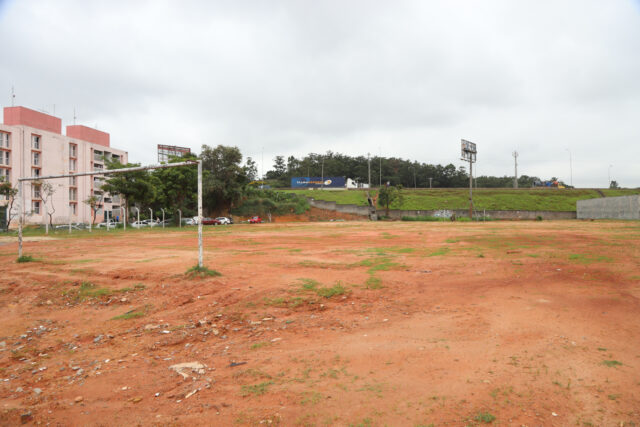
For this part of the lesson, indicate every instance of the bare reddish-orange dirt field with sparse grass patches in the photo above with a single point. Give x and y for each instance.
(341, 323)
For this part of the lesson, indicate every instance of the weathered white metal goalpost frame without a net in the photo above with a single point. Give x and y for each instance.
(110, 172)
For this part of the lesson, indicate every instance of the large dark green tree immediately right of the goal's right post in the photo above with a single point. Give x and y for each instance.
(226, 180)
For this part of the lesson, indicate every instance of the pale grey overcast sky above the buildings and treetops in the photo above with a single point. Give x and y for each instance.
(404, 78)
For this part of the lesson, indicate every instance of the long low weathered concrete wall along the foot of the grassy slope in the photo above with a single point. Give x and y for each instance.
(444, 213)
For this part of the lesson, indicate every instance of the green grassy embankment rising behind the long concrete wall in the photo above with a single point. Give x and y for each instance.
(530, 199)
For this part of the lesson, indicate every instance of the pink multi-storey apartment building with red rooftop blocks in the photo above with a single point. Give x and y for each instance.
(32, 144)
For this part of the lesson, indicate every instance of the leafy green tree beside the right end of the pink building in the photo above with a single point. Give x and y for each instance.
(138, 187)
